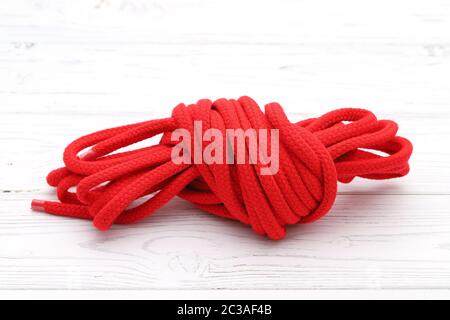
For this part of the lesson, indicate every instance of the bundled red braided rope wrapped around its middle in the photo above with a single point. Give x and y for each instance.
(314, 154)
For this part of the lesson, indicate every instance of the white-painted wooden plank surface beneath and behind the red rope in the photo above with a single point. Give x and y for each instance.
(68, 68)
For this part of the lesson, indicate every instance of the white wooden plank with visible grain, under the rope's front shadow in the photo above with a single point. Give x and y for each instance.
(366, 242)
